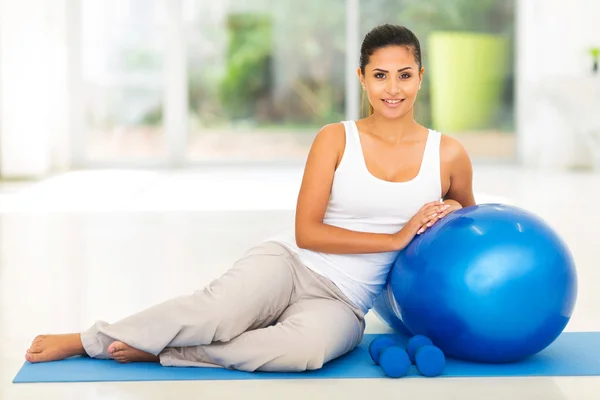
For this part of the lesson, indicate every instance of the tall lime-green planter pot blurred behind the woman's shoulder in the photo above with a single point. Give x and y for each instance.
(467, 72)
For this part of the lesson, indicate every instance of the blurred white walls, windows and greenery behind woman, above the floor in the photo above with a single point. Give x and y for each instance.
(177, 83)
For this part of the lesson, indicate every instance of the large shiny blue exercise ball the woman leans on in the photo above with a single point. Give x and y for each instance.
(488, 283)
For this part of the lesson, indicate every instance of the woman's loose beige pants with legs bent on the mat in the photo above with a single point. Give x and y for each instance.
(268, 313)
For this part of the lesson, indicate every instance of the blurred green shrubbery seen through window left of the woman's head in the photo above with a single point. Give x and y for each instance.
(283, 65)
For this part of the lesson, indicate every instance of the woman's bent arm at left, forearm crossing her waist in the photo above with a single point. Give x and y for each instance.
(311, 232)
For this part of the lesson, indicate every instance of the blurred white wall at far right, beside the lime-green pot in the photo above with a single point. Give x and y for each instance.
(555, 87)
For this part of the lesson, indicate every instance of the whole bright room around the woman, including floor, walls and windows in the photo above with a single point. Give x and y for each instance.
(145, 145)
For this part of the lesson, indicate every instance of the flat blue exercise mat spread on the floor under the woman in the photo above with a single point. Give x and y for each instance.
(572, 354)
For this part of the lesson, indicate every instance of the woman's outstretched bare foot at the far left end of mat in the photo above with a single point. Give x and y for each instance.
(54, 347)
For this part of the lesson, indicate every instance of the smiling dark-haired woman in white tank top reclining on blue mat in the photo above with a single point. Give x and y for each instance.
(297, 301)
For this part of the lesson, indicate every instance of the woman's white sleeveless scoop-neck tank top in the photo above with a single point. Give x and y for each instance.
(361, 202)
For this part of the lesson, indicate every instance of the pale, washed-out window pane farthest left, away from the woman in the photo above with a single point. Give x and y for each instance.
(123, 84)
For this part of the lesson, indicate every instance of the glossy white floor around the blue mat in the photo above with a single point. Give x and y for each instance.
(104, 244)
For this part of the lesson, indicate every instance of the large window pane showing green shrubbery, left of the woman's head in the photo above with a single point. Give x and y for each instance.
(264, 76)
